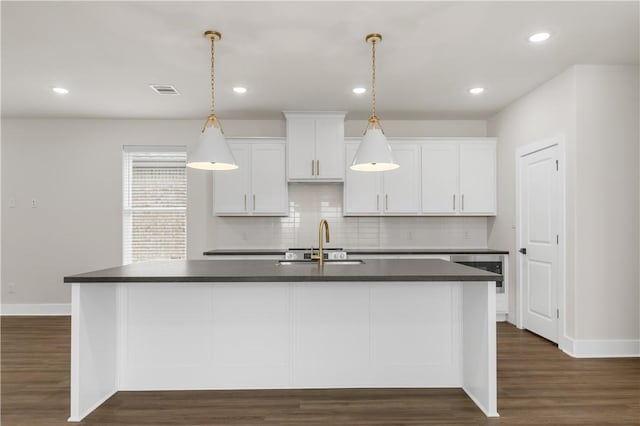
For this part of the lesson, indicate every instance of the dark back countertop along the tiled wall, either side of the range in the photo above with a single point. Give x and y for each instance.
(356, 251)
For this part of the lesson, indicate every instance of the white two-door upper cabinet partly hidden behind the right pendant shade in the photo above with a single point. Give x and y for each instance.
(396, 192)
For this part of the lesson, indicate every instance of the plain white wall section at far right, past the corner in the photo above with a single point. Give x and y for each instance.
(607, 242)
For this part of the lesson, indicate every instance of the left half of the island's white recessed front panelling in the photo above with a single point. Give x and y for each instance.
(205, 336)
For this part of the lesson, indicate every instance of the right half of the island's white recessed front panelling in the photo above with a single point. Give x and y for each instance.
(377, 334)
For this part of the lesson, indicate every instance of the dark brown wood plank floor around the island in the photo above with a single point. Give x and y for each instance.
(537, 385)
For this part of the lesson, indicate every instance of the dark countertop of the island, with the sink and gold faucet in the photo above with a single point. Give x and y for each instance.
(269, 271)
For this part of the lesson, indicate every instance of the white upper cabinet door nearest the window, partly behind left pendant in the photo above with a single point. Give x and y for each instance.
(231, 187)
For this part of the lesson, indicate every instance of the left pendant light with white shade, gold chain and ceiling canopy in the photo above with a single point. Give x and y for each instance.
(212, 151)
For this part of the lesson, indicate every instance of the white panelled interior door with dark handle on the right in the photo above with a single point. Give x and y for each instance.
(539, 241)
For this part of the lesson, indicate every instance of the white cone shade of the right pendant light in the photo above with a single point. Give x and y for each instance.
(374, 153)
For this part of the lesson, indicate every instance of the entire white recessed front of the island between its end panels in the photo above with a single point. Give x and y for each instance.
(291, 335)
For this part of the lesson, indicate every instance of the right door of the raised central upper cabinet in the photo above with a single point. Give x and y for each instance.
(329, 149)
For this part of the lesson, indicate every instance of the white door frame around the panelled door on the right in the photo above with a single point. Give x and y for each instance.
(559, 141)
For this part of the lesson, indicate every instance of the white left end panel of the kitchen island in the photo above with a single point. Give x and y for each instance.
(93, 347)
